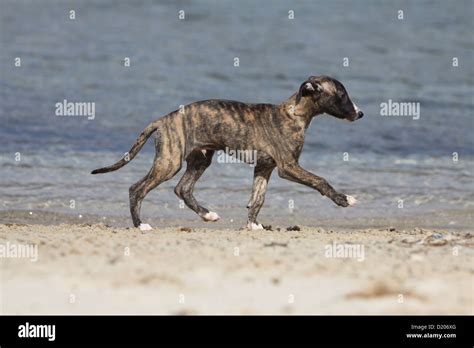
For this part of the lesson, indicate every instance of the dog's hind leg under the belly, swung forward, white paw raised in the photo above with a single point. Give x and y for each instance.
(197, 163)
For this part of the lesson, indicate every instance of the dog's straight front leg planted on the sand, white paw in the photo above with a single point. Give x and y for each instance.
(260, 183)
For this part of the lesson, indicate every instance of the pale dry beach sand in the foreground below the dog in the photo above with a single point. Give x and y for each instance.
(98, 269)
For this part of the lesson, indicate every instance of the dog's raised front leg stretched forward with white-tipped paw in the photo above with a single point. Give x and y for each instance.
(297, 174)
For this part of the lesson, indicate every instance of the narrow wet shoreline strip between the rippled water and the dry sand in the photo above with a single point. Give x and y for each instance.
(448, 220)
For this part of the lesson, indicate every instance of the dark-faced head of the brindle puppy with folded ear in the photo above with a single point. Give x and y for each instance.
(322, 94)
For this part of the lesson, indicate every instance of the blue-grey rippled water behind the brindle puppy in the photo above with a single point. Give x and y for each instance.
(176, 62)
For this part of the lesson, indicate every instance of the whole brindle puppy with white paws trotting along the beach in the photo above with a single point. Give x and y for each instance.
(275, 132)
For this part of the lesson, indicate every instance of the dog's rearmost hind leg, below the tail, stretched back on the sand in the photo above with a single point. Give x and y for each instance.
(166, 164)
